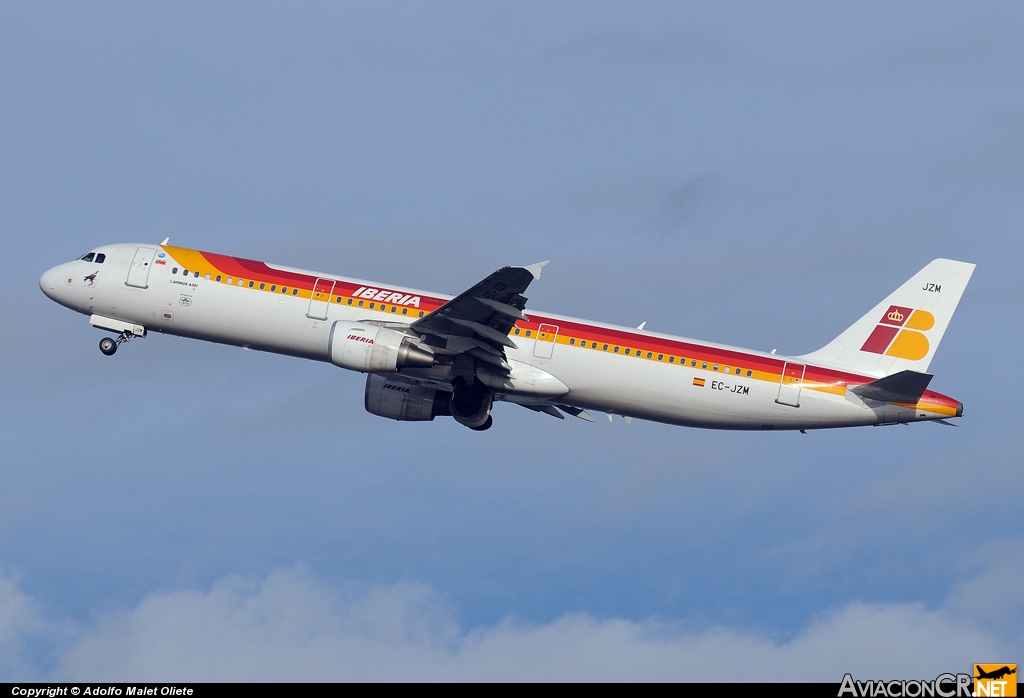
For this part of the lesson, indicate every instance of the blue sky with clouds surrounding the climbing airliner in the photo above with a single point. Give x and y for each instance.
(745, 173)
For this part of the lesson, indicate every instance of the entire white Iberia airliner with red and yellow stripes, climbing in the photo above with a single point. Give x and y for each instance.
(429, 355)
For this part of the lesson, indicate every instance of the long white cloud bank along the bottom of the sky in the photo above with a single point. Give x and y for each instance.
(294, 628)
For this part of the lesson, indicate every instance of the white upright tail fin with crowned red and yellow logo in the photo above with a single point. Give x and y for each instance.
(903, 332)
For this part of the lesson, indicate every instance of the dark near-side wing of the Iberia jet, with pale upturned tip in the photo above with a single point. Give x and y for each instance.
(479, 321)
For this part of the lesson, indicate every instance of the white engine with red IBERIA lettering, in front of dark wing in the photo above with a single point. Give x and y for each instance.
(370, 348)
